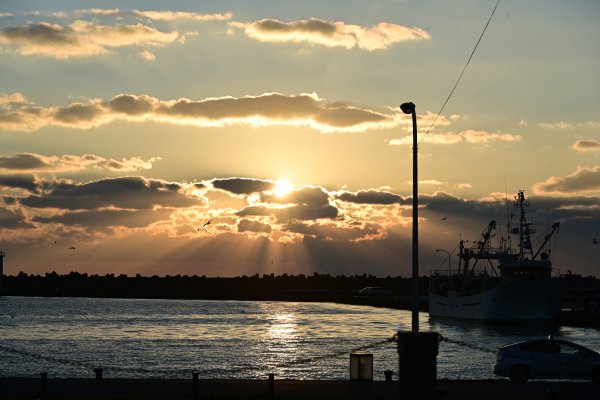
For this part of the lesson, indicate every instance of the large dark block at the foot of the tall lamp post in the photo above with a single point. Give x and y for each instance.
(417, 352)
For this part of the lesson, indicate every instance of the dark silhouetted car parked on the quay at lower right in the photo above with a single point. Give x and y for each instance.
(547, 358)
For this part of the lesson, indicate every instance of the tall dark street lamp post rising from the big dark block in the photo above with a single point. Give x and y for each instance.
(409, 108)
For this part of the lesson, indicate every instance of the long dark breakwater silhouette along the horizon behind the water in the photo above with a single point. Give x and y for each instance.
(581, 300)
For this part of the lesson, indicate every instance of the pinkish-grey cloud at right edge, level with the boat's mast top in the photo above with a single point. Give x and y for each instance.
(584, 179)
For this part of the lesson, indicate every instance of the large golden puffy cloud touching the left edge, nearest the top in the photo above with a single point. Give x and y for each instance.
(80, 39)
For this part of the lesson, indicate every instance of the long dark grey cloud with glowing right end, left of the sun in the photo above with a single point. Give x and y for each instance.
(126, 193)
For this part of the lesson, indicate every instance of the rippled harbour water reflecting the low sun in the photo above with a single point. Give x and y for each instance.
(67, 337)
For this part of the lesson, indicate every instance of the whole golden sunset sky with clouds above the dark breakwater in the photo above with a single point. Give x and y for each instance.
(226, 138)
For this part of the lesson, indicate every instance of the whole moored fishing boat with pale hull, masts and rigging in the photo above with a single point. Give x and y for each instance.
(497, 282)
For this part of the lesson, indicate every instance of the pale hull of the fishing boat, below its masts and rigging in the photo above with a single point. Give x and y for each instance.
(516, 299)
